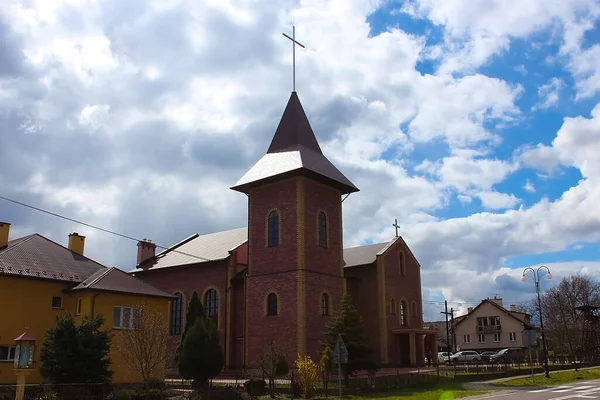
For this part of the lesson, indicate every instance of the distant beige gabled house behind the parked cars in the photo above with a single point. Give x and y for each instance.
(490, 326)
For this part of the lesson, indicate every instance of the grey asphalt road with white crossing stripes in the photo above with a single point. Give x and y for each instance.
(582, 390)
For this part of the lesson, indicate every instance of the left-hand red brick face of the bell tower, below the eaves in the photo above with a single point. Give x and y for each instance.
(272, 268)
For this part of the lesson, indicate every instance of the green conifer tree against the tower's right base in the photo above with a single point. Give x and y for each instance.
(349, 324)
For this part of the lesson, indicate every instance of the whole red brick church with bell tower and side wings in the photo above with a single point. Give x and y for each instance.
(282, 277)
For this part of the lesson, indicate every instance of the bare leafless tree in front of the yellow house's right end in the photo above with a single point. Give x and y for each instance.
(144, 348)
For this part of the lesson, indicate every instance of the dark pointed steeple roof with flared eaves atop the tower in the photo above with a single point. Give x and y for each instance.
(294, 150)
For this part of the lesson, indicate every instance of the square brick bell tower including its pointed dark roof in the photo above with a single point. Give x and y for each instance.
(295, 266)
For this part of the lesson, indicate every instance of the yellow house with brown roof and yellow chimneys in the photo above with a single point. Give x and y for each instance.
(39, 279)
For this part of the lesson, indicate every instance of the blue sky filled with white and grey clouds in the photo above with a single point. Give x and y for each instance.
(476, 123)
